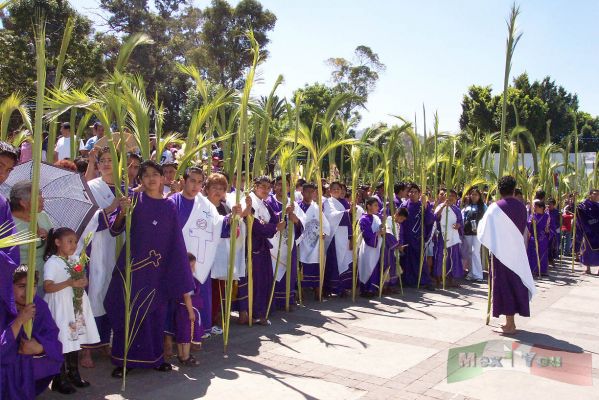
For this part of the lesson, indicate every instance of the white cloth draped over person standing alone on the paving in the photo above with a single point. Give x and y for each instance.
(499, 234)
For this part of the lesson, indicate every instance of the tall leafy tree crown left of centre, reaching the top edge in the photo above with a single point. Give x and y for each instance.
(223, 52)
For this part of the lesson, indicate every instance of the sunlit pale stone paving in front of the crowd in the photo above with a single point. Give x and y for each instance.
(390, 348)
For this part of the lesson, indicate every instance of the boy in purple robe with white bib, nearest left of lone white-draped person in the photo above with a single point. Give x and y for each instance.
(453, 259)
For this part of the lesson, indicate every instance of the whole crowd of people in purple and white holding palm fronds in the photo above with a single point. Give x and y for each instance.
(180, 243)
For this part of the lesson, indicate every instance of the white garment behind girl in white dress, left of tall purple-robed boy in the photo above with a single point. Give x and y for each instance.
(102, 258)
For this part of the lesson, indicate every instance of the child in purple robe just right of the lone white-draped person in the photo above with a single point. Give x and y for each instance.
(538, 247)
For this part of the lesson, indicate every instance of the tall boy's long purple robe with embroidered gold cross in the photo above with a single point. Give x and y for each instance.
(160, 269)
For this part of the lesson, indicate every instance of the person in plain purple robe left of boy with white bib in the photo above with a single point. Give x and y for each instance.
(413, 228)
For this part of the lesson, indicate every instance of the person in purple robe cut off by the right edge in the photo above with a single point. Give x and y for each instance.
(587, 220)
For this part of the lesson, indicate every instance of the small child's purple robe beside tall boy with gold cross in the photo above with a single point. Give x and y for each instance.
(185, 331)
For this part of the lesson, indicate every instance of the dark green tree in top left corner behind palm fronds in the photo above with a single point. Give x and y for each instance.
(17, 69)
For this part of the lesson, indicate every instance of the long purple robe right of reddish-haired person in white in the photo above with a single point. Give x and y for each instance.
(261, 267)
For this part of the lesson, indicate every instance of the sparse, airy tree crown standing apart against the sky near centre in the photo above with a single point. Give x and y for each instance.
(358, 76)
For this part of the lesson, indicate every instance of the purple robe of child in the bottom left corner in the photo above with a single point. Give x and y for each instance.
(22, 377)
